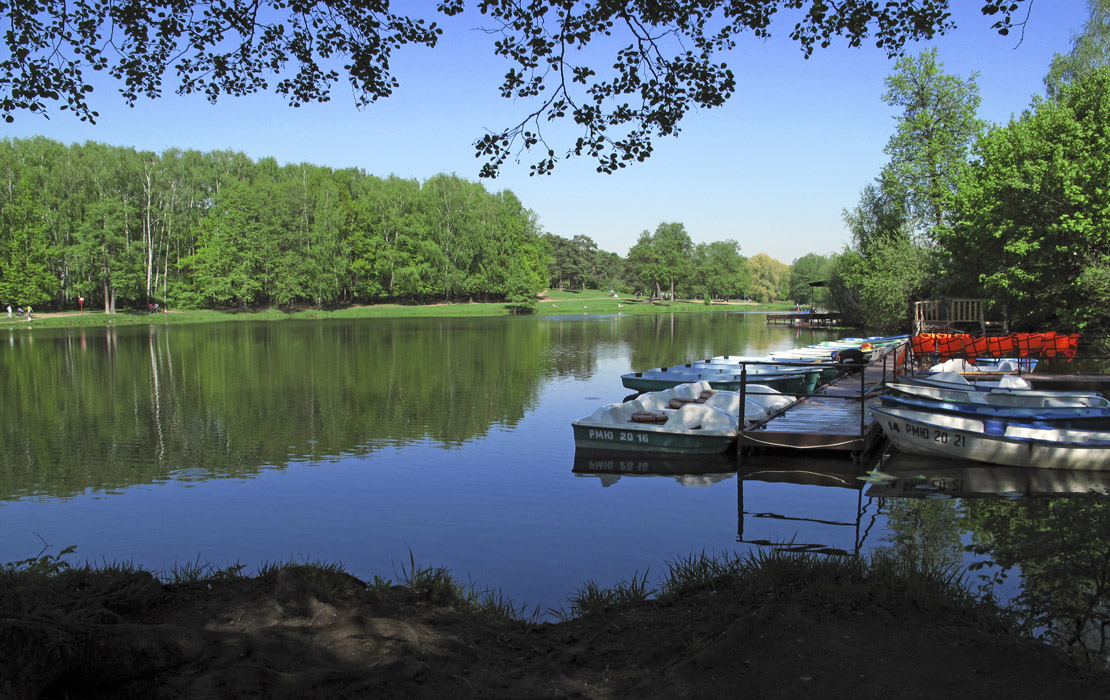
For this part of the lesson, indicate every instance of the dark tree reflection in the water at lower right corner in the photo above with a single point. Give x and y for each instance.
(1063, 551)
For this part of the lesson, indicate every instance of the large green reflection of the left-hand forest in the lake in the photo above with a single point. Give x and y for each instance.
(107, 408)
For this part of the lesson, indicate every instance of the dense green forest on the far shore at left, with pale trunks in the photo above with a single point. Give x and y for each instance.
(198, 230)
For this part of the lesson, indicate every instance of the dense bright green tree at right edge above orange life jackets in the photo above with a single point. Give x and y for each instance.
(1034, 230)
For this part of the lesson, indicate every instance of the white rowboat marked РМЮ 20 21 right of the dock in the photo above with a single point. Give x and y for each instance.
(993, 441)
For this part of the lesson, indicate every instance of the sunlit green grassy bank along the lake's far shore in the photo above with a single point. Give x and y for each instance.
(550, 305)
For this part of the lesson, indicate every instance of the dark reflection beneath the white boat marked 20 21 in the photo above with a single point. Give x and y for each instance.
(931, 478)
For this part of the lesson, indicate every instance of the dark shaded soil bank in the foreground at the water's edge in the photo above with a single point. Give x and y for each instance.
(279, 638)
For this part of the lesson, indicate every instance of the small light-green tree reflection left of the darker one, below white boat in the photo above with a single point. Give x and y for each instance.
(925, 533)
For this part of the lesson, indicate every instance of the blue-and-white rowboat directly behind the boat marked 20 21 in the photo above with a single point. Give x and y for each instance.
(1086, 418)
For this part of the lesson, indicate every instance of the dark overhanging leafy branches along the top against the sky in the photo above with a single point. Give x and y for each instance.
(669, 57)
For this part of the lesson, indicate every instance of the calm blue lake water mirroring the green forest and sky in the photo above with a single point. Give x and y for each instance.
(365, 442)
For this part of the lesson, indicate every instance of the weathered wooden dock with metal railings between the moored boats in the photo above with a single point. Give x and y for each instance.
(833, 419)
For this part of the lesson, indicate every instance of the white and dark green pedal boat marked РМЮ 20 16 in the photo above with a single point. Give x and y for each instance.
(690, 419)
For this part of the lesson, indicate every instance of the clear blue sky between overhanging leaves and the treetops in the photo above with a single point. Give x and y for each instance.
(773, 169)
